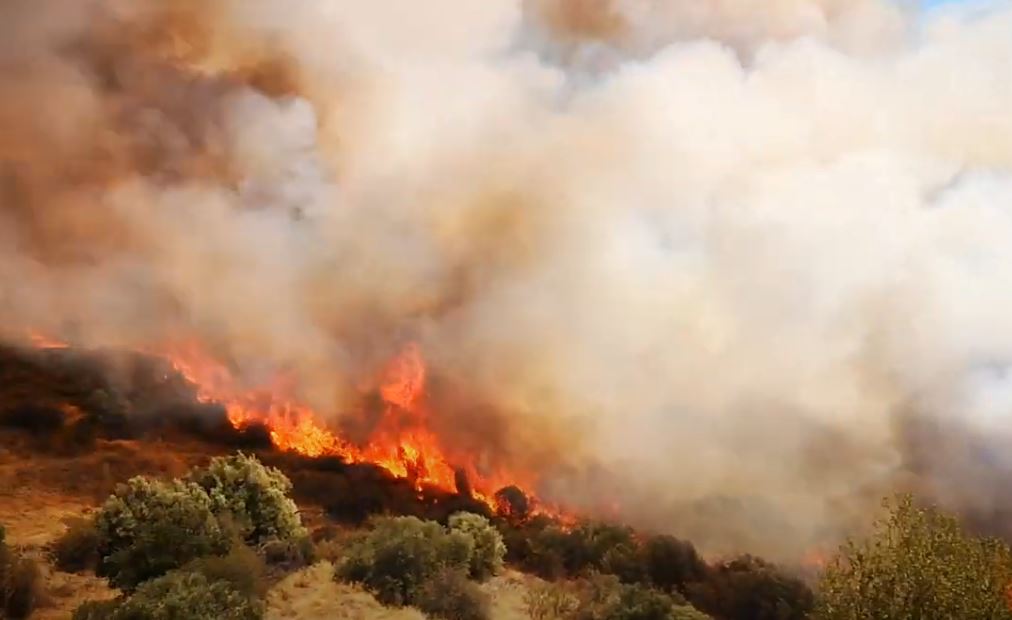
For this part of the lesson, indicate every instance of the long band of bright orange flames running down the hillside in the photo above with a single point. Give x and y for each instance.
(403, 442)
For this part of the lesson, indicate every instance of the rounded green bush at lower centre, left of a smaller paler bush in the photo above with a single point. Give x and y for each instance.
(400, 555)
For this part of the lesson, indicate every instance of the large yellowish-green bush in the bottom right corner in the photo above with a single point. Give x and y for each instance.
(917, 564)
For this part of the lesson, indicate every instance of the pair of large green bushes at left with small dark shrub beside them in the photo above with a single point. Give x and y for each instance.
(149, 527)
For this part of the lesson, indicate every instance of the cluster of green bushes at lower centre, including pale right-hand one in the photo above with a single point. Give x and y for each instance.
(405, 561)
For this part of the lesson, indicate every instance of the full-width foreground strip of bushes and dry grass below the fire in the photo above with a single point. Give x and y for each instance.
(225, 540)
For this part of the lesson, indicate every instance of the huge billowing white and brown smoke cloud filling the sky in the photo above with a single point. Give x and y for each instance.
(733, 252)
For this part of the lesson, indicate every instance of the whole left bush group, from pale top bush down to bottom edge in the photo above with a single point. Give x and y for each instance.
(182, 550)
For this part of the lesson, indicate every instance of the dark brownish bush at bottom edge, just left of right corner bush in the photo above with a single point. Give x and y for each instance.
(751, 589)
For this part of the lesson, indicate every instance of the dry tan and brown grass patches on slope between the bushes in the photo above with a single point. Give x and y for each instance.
(41, 493)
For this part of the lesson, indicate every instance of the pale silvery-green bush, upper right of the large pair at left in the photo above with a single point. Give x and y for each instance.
(255, 496)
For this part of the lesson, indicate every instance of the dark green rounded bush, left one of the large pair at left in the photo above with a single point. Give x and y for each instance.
(149, 527)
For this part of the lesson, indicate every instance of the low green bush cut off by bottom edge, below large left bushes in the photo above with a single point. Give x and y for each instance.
(180, 595)
